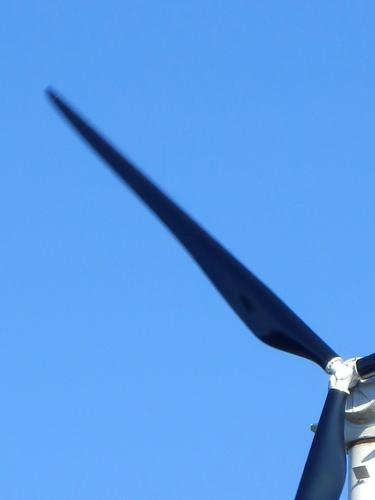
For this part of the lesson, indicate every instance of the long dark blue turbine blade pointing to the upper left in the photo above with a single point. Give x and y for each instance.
(271, 320)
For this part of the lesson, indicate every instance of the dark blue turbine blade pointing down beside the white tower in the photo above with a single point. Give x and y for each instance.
(324, 473)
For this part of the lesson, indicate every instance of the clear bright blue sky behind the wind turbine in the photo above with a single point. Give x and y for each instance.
(124, 375)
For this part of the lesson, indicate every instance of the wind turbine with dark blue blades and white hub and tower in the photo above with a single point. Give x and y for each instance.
(347, 421)
